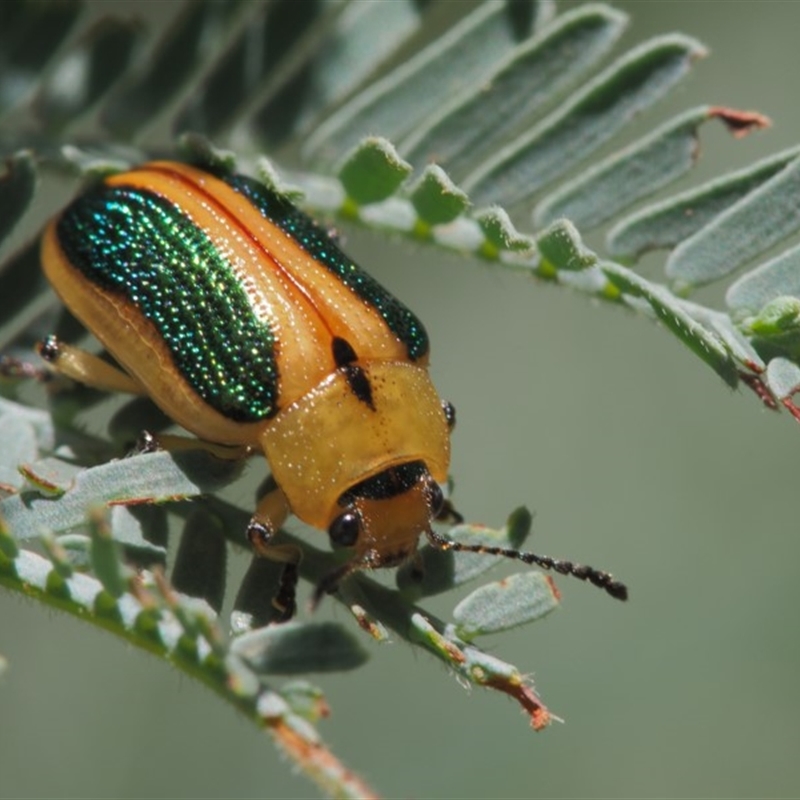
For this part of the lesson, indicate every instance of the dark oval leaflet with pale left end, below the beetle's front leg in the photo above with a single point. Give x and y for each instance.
(299, 648)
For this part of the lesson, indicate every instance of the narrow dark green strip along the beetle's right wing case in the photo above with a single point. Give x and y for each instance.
(316, 242)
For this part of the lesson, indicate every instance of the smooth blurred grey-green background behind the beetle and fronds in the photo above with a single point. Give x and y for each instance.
(635, 458)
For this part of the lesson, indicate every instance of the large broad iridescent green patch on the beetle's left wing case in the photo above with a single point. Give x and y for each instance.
(137, 244)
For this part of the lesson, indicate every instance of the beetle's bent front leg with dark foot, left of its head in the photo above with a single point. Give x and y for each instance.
(271, 513)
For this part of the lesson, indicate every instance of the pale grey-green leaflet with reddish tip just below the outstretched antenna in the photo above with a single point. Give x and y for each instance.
(512, 601)
